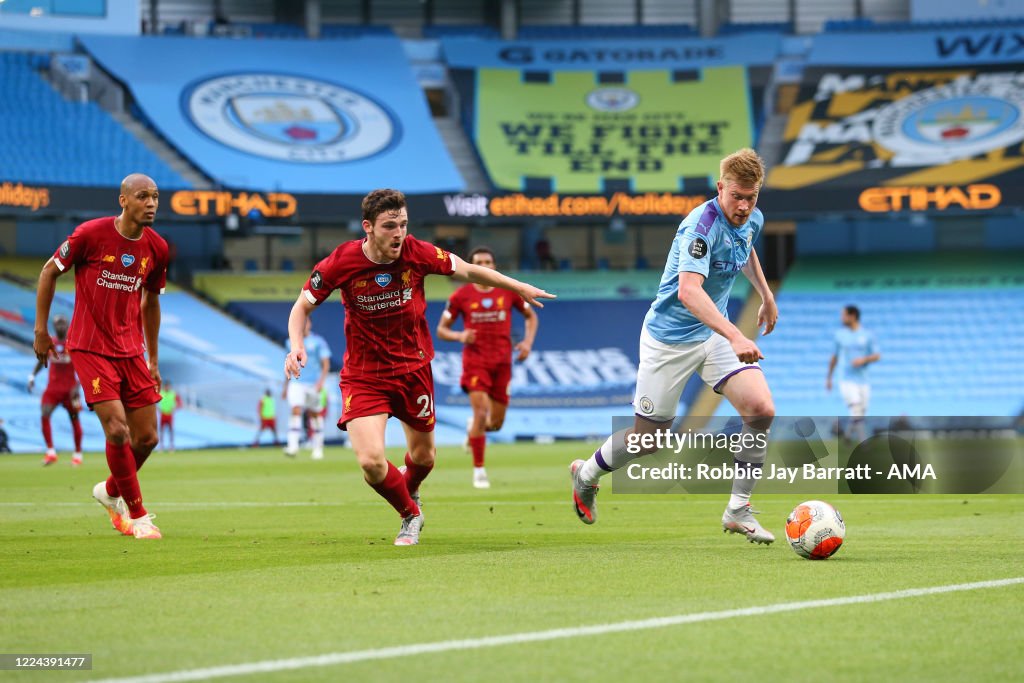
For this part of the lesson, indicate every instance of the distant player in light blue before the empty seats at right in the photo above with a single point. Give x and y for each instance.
(856, 351)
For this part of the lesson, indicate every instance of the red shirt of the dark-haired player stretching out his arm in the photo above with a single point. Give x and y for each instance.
(386, 311)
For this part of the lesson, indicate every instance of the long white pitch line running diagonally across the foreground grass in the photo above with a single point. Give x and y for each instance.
(335, 659)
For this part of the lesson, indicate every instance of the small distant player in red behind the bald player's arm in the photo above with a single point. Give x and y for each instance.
(62, 390)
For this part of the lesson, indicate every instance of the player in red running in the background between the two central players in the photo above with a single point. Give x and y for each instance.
(487, 357)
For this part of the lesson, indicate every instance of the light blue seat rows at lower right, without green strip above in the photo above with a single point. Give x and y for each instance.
(929, 366)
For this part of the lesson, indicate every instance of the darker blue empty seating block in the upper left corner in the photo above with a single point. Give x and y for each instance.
(48, 140)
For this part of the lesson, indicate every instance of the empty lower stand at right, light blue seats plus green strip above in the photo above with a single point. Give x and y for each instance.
(950, 329)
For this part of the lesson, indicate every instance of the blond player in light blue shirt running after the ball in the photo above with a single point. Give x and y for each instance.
(688, 330)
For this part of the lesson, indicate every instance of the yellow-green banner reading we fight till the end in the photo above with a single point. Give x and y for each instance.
(609, 132)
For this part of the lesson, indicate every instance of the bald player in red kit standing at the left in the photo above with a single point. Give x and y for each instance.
(120, 269)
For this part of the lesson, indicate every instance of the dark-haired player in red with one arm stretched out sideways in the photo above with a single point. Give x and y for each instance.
(387, 369)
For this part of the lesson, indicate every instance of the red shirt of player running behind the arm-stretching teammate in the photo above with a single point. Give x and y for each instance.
(490, 314)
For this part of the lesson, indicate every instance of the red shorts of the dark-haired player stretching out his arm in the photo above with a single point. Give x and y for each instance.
(409, 398)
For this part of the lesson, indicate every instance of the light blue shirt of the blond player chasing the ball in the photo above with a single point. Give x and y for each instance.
(706, 243)
